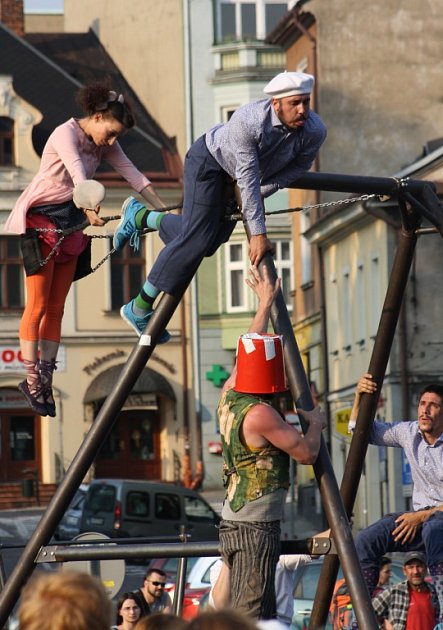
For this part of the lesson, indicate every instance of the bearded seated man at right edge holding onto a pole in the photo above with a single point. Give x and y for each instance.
(422, 528)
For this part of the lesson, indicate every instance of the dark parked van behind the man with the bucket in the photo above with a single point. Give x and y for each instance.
(122, 508)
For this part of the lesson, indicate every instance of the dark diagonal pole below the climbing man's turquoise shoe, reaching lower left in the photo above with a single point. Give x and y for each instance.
(87, 452)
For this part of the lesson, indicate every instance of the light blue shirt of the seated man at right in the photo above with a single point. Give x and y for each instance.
(425, 460)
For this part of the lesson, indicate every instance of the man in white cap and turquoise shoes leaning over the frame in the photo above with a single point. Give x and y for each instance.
(265, 146)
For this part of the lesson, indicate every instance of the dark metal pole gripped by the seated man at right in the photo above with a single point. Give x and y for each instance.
(359, 445)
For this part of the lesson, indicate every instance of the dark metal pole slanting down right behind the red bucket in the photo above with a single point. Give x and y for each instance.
(331, 498)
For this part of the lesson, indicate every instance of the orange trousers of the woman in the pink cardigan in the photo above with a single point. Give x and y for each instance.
(46, 296)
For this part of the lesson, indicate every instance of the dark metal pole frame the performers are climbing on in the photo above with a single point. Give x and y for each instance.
(417, 199)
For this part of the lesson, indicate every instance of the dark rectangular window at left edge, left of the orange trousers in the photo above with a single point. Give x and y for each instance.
(11, 273)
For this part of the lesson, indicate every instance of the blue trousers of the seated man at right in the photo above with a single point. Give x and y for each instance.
(376, 540)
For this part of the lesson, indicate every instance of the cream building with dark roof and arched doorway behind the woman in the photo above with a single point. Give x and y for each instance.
(148, 438)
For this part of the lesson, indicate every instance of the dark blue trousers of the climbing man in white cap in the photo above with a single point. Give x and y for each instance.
(200, 229)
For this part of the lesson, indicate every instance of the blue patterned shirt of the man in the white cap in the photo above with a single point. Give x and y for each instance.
(263, 155)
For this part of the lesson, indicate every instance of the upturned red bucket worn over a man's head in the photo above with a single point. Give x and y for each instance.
(260, 367)
